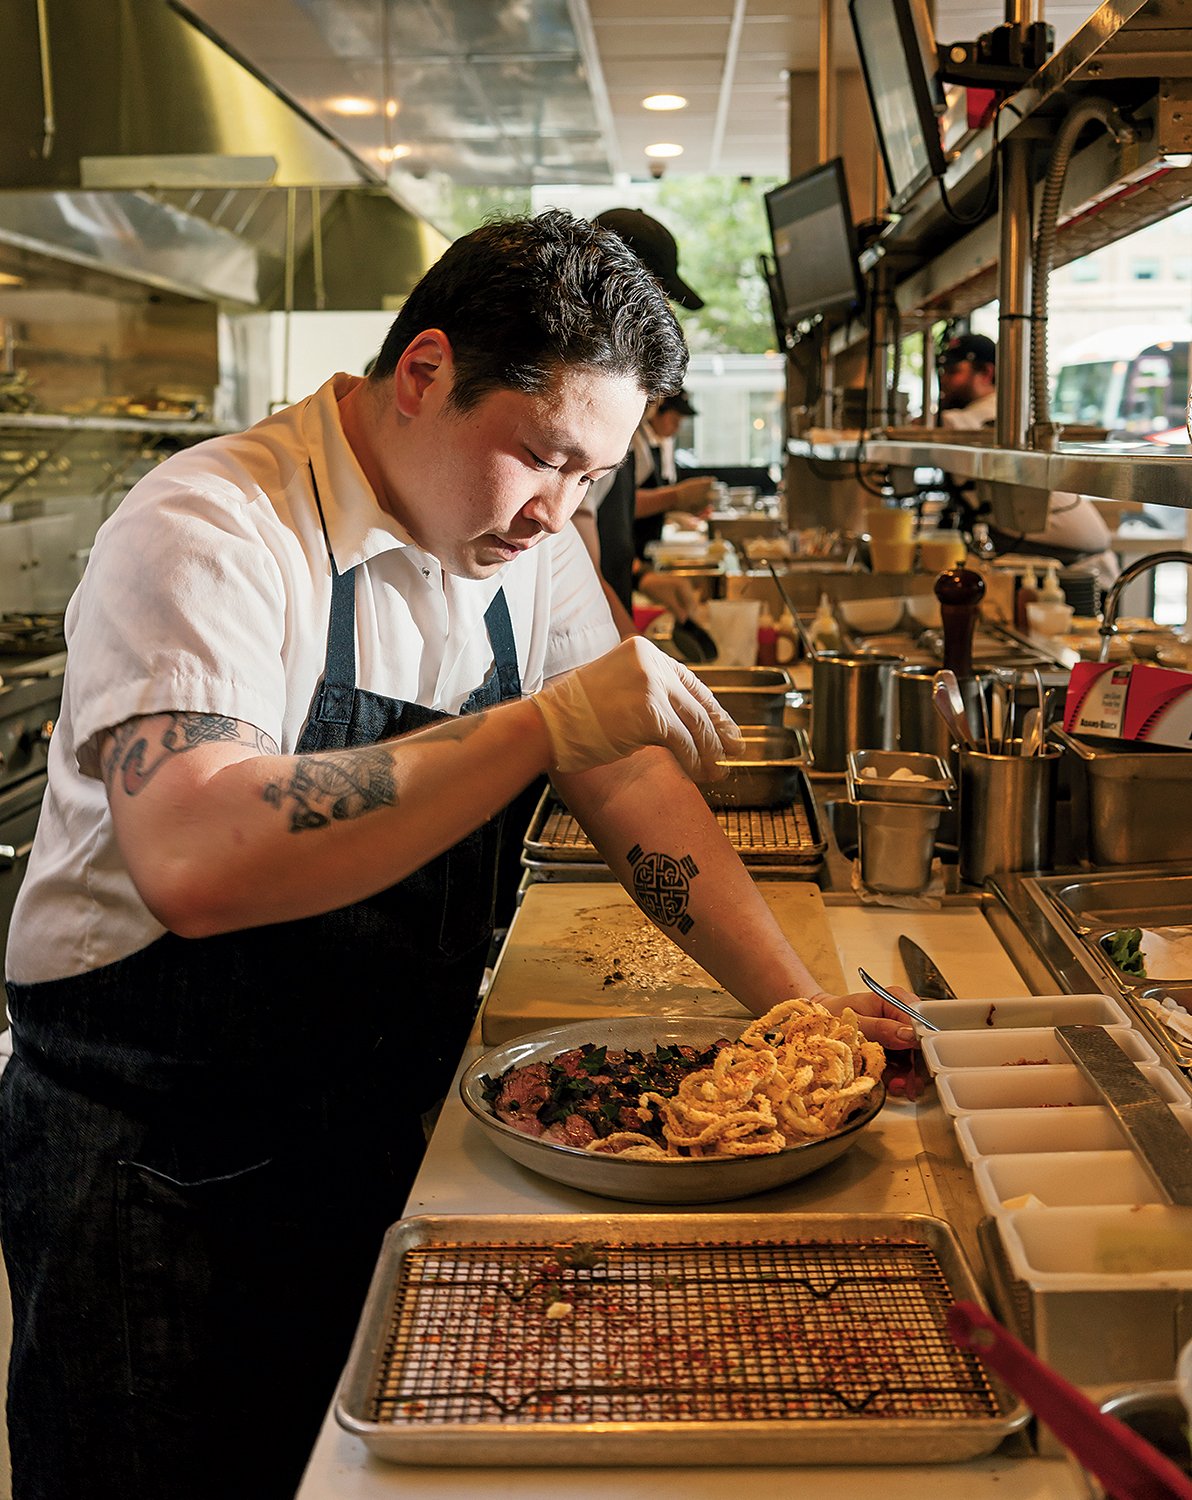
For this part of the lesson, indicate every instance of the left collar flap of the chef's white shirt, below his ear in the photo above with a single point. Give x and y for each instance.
(358, 527)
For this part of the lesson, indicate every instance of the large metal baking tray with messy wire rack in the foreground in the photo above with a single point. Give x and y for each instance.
(645, 1340)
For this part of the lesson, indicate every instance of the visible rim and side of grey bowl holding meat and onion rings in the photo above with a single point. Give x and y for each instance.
(710, 1180)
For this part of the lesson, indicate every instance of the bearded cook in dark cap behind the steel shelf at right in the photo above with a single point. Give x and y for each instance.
(1076, 532)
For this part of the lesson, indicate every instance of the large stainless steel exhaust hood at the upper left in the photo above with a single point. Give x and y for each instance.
(130, 142)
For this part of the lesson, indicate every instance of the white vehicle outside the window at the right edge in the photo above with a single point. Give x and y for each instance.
(1130, 380)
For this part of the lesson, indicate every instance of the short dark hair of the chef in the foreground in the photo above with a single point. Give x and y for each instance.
(520, 299)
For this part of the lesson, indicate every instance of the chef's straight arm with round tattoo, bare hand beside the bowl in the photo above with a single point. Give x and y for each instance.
(666, 848)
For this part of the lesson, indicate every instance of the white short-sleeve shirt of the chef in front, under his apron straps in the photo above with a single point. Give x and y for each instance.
(209, 592)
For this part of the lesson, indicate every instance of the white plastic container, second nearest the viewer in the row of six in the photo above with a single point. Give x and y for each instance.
(1064, 1180)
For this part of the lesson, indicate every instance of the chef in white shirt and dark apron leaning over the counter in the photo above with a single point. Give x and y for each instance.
(308, 667)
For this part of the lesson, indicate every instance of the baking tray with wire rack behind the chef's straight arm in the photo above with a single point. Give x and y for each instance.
(771, 838)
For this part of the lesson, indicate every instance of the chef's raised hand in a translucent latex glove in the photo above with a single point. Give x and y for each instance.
(629, 698)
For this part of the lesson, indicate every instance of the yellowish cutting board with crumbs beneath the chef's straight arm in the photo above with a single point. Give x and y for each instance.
(586, 950)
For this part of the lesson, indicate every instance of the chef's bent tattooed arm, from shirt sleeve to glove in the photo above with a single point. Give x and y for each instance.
(221, 832)
